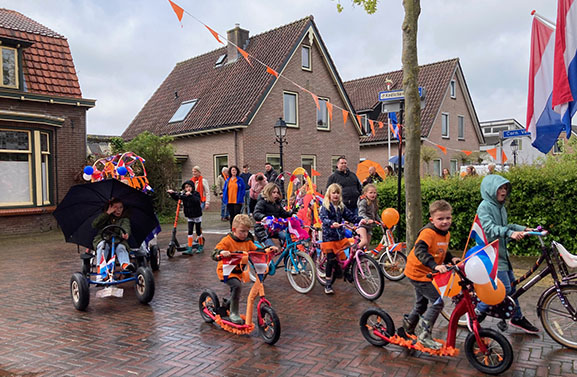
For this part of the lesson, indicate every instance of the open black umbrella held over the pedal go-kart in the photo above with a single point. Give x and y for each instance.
(83, 203)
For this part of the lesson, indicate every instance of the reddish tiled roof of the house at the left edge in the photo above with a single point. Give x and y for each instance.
(47, 64)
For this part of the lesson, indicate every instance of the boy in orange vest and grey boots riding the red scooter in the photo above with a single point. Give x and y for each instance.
(429, 254)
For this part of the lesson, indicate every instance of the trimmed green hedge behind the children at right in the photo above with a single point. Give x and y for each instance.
(542, 195)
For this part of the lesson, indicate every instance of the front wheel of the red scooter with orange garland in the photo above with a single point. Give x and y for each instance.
(499, 354)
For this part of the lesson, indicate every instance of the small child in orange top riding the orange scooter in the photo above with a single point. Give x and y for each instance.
(239, 239)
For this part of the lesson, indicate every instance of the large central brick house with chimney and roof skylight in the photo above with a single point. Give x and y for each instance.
(221, 110)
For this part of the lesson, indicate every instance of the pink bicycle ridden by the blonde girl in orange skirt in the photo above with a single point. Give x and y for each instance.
(359, 268)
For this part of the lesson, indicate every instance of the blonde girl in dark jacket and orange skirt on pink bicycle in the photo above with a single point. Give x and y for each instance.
(333, 214)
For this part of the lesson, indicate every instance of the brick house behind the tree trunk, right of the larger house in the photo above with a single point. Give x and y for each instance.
(448, 118)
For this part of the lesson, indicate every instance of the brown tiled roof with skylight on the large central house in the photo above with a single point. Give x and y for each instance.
(227, 95)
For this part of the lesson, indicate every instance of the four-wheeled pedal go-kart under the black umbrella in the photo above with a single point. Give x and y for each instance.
(108, 276)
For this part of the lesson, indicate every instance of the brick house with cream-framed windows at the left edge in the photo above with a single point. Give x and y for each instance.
(42, 123)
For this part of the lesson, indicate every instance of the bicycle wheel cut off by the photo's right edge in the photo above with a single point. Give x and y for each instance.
(555, 318)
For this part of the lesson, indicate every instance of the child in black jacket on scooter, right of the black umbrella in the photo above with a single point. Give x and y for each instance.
(192, 211)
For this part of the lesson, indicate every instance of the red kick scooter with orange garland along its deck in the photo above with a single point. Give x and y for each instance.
(487, 350)
